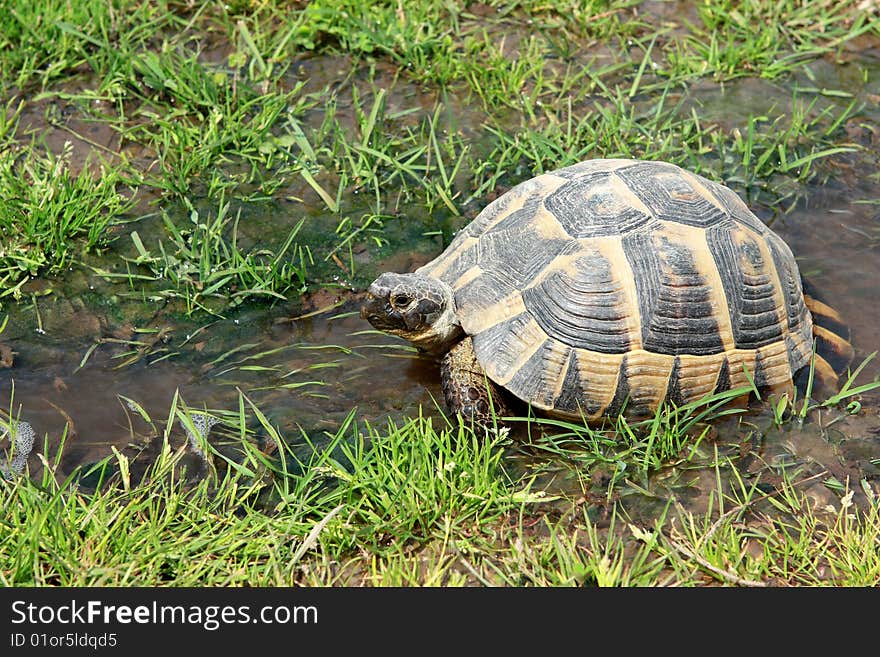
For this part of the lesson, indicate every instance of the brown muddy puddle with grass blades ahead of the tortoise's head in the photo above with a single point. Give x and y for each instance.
(305, 374)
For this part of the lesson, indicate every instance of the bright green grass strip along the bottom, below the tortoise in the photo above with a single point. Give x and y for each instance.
(407, 504)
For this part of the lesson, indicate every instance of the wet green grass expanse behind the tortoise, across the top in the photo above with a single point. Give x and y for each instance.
(211, 101)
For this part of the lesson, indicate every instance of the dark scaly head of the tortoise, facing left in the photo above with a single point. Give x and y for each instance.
(416, 307)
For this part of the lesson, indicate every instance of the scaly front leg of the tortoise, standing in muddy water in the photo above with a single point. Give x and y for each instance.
(467, 389)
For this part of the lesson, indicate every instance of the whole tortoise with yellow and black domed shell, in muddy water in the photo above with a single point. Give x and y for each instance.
(607, 286)
